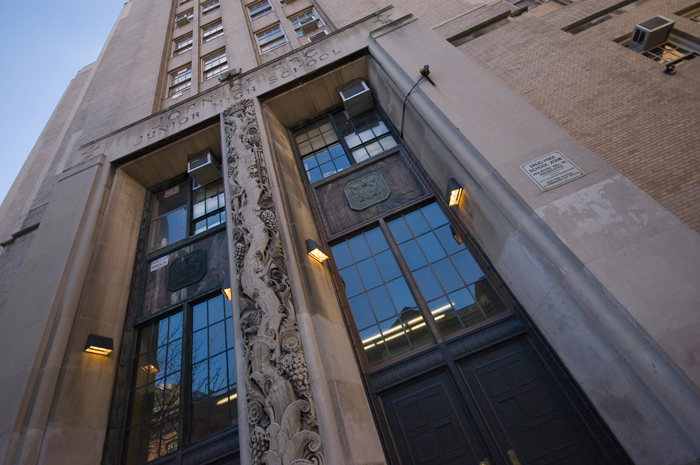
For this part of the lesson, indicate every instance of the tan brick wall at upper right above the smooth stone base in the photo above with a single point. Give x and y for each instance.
(616, 102)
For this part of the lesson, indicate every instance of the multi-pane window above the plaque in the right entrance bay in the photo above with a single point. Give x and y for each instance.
(336, 142)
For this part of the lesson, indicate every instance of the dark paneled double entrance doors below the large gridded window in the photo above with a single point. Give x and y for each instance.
(495, 405)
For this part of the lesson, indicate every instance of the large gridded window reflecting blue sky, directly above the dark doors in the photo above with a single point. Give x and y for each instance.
(443, 282)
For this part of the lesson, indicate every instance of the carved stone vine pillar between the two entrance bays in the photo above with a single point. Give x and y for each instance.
(281, 413)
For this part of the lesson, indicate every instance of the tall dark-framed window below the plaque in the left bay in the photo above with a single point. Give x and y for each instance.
(184, 383)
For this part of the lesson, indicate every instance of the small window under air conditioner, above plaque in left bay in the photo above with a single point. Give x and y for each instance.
(172, 219)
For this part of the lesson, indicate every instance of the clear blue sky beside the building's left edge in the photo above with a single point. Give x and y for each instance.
(43, 45)
